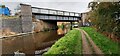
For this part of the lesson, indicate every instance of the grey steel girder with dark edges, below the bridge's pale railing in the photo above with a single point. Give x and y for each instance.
(60, 18)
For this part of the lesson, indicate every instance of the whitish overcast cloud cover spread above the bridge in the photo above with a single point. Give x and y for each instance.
(65, 6)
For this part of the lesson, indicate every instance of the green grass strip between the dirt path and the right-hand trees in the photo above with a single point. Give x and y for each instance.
(104, 43)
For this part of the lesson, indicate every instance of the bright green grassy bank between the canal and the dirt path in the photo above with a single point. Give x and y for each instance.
(70, 44)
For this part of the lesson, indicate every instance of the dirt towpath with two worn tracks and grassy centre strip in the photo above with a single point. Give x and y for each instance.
(88, 46)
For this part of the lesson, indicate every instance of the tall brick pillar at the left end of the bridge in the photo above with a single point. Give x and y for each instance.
(26, 18)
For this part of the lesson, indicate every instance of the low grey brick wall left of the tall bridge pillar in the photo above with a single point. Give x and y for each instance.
(13, 25)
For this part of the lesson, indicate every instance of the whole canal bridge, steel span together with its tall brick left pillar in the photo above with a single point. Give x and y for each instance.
(48, 16)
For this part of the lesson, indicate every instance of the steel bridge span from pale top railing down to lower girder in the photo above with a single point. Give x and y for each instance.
(57, 15)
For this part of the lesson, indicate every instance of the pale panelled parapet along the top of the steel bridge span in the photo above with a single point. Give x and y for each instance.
(54, 12)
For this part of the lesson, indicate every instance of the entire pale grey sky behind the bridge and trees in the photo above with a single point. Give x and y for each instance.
(66, 5)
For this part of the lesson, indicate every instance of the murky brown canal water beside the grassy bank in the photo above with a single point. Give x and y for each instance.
(28, 43)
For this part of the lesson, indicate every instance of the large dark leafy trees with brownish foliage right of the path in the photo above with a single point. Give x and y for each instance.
(105, 17)
